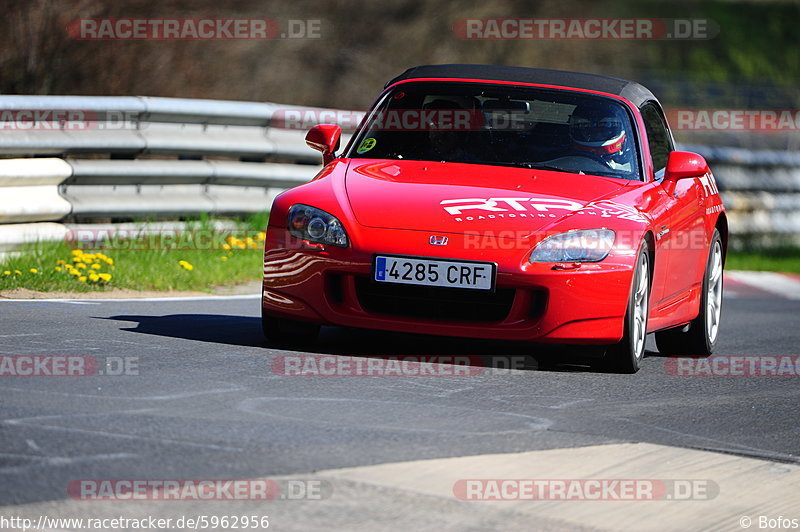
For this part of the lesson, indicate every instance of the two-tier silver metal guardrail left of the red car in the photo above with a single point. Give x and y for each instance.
(137, 157)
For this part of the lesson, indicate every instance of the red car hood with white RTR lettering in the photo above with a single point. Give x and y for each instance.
(453, 197)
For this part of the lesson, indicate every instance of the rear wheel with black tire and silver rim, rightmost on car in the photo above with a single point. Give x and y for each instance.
(700, 337)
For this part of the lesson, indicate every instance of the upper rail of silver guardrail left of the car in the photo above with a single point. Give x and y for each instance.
(136, 126)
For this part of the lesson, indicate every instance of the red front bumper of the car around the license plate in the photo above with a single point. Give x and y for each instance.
(532, 302)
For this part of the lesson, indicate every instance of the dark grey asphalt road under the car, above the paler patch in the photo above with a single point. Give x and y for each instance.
(206, 402)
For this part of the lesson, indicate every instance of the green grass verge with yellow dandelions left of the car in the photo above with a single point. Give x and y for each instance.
(197, 259)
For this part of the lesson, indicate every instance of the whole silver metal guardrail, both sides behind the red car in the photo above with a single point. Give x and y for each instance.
(122, 158)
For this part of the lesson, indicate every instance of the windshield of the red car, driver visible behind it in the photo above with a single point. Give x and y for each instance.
(561, 130)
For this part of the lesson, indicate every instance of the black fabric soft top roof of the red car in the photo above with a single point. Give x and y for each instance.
(635, 93)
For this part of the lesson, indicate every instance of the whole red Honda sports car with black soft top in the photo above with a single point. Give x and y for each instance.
(508, 203)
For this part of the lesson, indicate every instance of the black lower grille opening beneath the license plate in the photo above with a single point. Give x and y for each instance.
(433, 302)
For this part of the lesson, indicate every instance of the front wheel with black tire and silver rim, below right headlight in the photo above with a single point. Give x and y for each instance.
(627, 355)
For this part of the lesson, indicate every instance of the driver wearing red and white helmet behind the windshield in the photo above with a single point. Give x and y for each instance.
(600, 134)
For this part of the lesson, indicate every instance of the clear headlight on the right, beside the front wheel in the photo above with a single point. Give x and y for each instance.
(584, 245)
